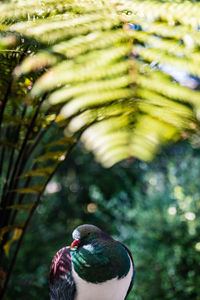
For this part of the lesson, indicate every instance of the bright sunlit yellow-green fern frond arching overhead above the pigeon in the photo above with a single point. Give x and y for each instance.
(92, 60)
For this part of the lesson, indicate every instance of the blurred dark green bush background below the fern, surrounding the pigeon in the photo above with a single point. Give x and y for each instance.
(153, 208)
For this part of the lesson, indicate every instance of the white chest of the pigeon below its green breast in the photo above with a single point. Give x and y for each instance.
(114, 289)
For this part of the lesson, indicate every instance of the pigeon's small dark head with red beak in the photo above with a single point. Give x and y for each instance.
(84, 234)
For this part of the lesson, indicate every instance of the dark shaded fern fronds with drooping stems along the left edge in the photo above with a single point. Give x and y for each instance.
(25, 133)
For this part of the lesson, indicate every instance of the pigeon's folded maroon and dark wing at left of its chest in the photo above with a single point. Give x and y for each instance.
(61, 282)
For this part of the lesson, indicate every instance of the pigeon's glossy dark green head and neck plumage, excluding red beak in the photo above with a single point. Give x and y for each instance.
(99, 258)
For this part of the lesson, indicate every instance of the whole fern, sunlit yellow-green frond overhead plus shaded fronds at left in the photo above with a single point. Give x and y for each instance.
(99, 72)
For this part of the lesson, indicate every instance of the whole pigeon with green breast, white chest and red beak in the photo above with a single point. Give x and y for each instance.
(94, 267)
